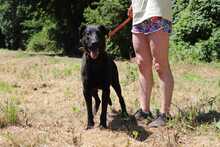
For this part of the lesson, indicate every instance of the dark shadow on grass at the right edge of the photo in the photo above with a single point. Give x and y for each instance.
(209, 117)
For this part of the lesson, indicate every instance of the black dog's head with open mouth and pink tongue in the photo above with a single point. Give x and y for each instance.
(92, 39)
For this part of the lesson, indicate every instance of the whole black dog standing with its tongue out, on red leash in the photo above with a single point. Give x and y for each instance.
(98, 71)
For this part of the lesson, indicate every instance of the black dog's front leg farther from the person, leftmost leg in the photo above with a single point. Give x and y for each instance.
(88, 98)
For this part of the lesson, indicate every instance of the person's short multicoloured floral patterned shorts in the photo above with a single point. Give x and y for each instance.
(152, 25)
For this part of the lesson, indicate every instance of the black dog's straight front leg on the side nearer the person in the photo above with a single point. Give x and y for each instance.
(105, 99)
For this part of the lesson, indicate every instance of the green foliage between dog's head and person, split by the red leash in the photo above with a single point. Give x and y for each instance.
(111, 13)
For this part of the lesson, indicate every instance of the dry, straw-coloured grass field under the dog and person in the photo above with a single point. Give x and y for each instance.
(41, 105)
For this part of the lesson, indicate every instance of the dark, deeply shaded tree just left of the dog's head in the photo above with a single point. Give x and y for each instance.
(69, 15)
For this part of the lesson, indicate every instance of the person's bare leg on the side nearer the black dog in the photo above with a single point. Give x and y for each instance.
(144, 62)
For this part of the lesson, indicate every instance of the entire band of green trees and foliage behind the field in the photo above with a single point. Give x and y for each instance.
(51, 25)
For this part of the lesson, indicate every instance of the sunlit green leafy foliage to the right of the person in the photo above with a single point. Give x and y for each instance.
(196, 31)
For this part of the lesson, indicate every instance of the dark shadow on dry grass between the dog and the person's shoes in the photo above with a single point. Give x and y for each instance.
(127, 125)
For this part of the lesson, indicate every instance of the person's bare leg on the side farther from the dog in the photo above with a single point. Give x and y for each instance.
(159, 44)
